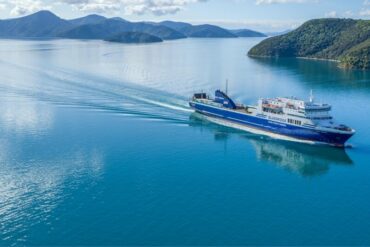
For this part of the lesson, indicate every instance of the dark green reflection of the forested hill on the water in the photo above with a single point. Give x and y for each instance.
(324, 74)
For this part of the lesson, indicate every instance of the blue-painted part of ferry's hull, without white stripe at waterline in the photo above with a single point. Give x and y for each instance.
(267, 125)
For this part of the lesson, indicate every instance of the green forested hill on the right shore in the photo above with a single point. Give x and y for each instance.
(345, 40)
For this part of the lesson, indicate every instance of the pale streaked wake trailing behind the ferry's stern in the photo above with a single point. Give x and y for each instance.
(71, 88)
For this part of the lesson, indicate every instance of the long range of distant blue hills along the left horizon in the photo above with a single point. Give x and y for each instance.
(45, 24)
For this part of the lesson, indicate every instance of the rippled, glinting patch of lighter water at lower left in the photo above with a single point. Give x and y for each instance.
(31, 188)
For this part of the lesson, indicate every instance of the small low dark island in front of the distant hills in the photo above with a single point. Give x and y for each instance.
(134, 37)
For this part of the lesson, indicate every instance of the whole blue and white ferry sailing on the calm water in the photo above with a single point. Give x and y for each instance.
(287, 118)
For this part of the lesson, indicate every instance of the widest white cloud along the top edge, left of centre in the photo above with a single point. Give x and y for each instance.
(131, 7)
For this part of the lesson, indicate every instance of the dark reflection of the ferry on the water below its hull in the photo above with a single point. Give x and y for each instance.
(303, 159)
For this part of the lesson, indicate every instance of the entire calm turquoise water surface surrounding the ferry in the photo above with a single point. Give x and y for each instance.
(98, 147)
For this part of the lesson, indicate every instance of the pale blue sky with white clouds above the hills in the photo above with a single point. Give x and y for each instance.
(261, 15)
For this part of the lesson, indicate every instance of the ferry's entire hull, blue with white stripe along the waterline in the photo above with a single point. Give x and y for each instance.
(266, 126)
